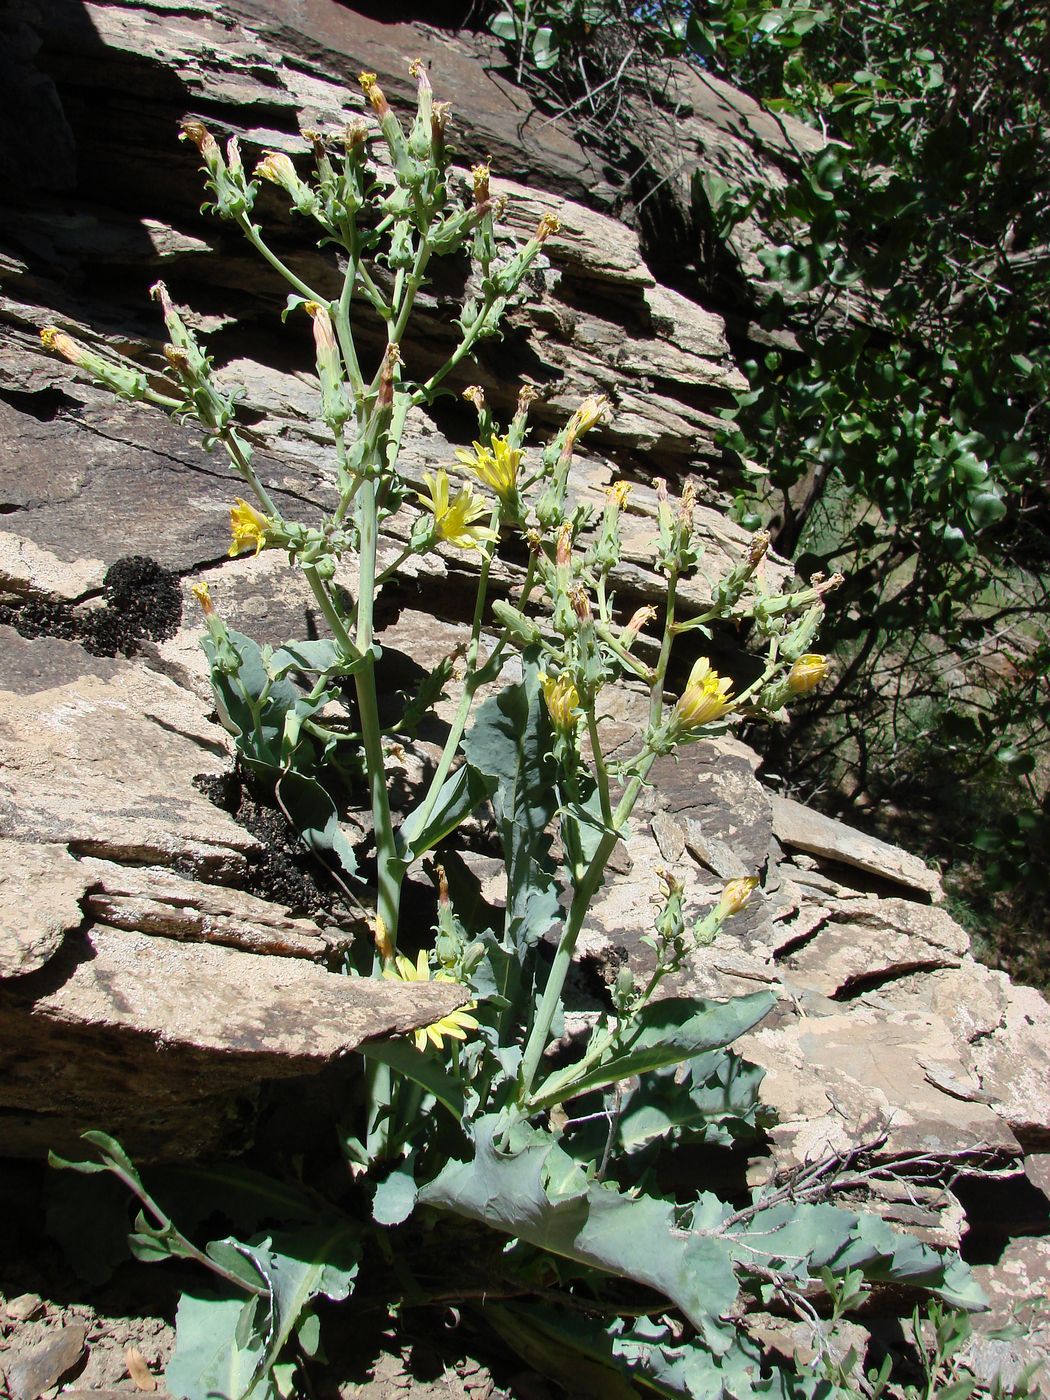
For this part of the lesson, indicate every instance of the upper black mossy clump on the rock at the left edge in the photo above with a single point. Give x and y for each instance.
(141, 601)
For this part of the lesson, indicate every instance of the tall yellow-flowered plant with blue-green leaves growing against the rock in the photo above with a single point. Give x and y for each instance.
(540, 1171)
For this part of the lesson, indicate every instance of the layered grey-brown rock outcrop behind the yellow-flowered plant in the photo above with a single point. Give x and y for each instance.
(162, 960)
